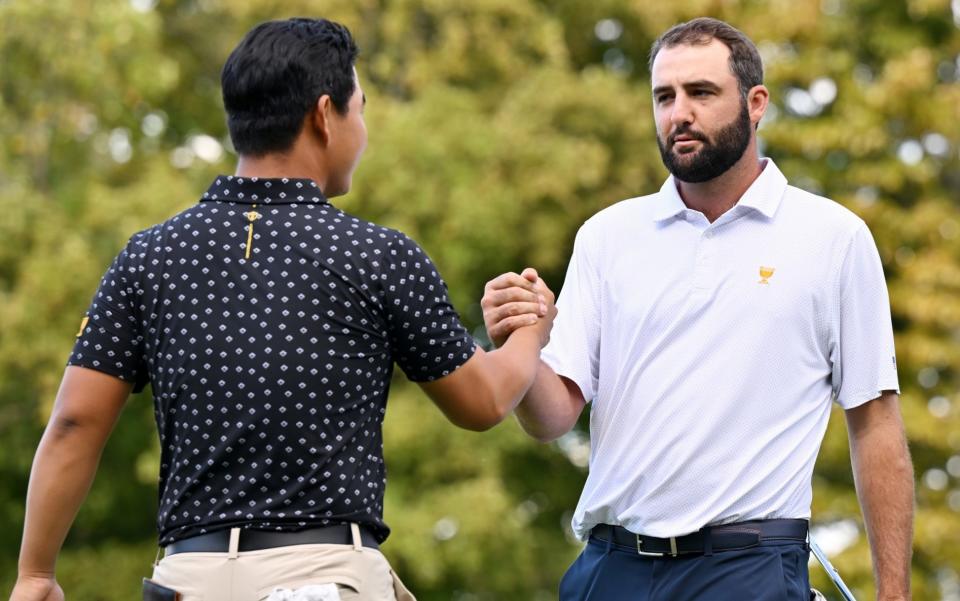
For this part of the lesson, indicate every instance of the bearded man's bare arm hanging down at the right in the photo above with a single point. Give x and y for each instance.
(883, 474)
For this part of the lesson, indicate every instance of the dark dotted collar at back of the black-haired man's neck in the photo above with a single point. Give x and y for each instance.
(264, 190)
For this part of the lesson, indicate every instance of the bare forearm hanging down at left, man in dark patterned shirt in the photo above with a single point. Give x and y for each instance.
(63, 470)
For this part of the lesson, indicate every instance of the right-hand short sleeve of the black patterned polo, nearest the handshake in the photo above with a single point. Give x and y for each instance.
(428, 339)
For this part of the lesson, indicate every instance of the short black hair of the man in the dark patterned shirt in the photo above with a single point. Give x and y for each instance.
(274, 77)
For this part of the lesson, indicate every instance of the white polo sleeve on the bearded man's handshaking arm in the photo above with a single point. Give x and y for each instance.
(574, 348)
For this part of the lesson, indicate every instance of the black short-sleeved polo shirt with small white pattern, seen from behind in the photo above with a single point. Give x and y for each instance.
(270, 373)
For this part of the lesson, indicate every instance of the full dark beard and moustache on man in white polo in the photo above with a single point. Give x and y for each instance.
(715, 157)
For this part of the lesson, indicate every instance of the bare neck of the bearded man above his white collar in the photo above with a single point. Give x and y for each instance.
(715, 197)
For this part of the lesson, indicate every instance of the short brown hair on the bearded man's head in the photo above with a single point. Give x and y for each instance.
(744, 59)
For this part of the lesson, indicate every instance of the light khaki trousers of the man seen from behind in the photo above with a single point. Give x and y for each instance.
(360, 573)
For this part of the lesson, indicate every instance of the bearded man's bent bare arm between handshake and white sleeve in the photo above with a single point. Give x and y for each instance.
(550, 408)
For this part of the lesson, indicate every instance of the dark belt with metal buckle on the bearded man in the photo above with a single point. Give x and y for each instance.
(728, 537)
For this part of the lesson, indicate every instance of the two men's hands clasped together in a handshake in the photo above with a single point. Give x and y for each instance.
(509, 301)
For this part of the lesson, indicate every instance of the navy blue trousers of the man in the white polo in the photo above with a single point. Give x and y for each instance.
(773, 571)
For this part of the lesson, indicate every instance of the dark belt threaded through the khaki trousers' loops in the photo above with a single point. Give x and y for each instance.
(255, 540)
